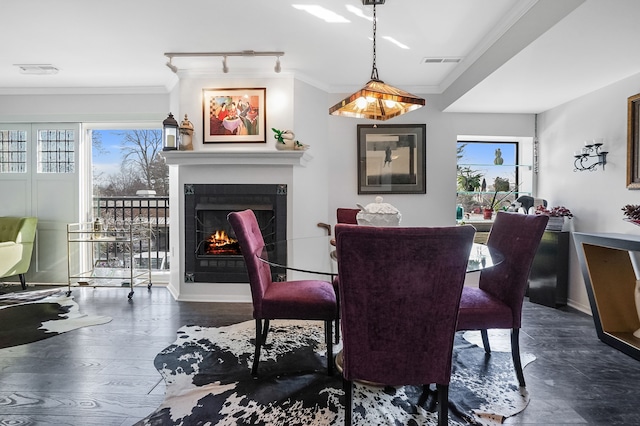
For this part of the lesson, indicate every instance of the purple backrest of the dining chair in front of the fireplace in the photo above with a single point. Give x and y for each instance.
(245, 226)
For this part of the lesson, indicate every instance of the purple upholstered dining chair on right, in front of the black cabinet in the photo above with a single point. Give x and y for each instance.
(497, 302)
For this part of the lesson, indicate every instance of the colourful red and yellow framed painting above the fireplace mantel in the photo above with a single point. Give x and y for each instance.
(233, 115)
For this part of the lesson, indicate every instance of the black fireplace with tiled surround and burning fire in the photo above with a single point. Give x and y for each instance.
(206, 208)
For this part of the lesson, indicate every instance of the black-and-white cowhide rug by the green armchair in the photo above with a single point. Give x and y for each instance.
(29, 316)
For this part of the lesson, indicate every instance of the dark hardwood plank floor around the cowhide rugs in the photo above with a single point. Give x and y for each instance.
(104, 375)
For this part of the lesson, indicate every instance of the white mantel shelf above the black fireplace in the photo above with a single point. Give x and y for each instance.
(267, 157)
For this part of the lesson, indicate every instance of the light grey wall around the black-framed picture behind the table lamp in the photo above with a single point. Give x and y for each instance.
(437, 206)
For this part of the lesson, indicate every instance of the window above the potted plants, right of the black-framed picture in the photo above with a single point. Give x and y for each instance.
(490, 177)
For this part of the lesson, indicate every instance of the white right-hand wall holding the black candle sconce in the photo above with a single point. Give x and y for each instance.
(596, 198)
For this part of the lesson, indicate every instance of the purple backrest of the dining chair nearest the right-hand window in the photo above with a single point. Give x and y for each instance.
(517, 236)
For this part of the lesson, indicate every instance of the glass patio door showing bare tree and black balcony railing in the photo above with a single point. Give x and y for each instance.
(130, 184)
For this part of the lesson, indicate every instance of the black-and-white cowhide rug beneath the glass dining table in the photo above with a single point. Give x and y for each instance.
(207, 373)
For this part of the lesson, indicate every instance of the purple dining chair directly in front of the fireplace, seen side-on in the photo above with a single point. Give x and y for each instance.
(303, 299)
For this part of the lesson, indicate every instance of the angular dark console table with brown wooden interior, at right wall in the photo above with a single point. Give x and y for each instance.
(610, 280)
